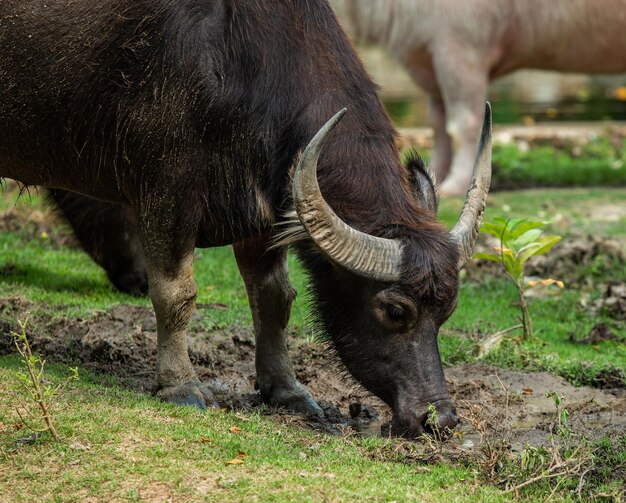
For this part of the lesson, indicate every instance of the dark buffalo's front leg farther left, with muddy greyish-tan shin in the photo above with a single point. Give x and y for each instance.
(169, 263)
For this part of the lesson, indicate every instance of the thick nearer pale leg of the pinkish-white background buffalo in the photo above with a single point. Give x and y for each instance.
(463, 82)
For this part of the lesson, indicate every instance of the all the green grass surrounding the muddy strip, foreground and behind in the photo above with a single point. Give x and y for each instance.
(118, 444)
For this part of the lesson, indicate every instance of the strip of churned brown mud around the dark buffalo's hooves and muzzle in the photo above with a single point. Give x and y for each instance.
(123, 342)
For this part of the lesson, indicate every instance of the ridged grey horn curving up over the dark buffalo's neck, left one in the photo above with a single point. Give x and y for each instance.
(369, 256)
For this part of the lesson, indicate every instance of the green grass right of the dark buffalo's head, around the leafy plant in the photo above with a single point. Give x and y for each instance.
(488, 306)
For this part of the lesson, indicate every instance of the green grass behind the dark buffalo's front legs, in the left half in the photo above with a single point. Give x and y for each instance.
(32, 266)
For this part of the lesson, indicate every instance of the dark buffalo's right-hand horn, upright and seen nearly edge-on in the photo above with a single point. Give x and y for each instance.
(466, 230)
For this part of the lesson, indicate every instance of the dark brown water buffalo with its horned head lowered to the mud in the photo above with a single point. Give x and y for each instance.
(184, 120)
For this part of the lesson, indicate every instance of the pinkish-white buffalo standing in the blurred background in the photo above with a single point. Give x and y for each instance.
(454, 48)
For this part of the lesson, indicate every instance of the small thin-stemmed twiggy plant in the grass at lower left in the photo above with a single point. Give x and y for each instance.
(33, 388)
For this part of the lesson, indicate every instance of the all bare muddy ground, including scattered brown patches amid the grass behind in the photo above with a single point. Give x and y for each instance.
(512, 404)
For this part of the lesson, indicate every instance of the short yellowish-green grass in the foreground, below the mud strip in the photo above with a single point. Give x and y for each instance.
(120, 445)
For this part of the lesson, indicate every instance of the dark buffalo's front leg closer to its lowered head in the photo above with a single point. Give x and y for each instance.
(270, 295)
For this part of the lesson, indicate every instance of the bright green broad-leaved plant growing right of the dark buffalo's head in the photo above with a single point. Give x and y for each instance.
(520, 239)
